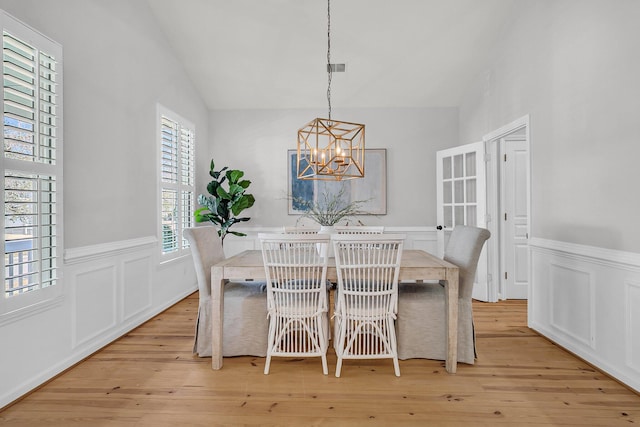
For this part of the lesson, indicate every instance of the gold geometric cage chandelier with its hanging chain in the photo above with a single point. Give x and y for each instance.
(330, 149)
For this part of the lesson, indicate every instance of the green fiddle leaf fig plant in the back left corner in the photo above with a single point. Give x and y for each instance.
(226, 200)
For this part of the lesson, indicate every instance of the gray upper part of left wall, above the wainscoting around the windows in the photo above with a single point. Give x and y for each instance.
(117, 66)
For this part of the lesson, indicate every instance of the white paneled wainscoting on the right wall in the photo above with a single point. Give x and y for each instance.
(587, 300)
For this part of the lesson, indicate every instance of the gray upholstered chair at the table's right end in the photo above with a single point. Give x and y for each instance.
(421, 323)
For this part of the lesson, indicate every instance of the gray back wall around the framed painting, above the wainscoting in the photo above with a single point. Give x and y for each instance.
(256, 141)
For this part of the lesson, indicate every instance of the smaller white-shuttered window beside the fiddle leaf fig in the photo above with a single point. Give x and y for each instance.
(177, 176)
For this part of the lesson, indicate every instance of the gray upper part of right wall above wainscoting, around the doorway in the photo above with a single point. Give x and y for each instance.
(574, 67)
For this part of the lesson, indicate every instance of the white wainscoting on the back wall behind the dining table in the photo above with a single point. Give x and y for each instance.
(424, 238)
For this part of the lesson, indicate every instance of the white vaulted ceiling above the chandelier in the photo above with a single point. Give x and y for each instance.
(265, 54)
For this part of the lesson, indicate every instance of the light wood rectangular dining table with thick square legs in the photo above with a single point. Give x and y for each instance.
(416, 265)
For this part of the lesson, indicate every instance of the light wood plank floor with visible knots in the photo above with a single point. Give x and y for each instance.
(150, 378)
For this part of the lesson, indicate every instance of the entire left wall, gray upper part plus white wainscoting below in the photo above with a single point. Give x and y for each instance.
(117, 66)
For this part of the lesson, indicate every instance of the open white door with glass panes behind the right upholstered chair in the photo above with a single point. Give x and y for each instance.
(461, 199)
